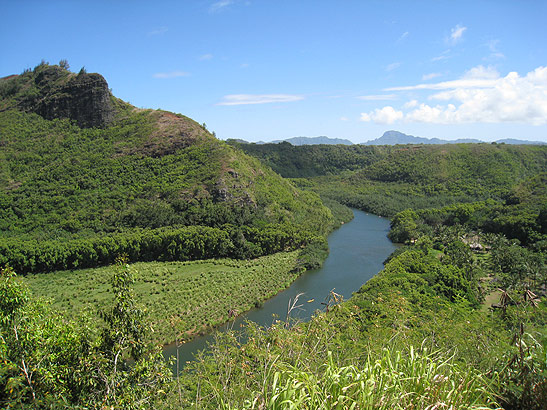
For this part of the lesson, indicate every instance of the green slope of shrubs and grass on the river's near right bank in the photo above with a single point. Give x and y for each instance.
(413, 337)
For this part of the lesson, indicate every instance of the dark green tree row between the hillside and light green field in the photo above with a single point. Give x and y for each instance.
(166, 244)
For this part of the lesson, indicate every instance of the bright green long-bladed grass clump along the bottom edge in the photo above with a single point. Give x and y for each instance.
(394, 380)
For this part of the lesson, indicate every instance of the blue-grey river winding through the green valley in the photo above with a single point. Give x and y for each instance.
(357, 250)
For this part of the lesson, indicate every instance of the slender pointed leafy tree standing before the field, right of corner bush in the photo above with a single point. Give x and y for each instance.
(131, 372)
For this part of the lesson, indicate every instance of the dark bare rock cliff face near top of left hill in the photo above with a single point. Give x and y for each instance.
(84, 98)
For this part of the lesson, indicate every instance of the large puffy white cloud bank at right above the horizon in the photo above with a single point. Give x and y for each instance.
(480, 96)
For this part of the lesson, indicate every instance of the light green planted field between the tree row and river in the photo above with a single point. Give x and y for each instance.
(182, 298)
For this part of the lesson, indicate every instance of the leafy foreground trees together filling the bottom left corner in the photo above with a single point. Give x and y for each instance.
(48, 362)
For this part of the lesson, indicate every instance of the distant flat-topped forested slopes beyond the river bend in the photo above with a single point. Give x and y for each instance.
(385, 180)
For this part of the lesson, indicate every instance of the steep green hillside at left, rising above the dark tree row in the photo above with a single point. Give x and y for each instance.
(141, 170)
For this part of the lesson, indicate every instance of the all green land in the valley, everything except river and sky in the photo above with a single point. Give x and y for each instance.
(160, 189)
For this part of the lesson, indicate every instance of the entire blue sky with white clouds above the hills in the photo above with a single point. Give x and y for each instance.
(262, 70)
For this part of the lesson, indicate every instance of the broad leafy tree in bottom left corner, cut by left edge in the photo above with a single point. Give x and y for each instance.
(39, 352)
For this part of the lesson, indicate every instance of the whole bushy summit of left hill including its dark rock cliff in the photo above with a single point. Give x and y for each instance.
(54, 92)
